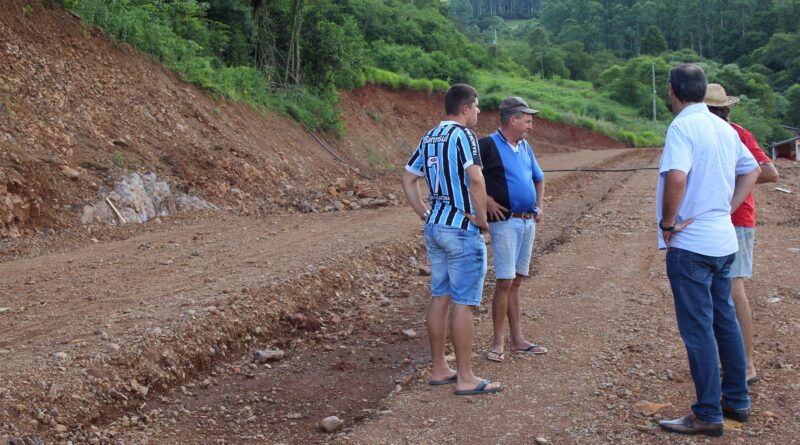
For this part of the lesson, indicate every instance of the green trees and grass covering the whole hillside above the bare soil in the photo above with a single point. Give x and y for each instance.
(584, 62)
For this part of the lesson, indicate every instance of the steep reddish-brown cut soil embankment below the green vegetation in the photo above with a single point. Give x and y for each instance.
(78, 112)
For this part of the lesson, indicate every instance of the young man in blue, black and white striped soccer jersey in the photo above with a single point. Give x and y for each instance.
(449, 159)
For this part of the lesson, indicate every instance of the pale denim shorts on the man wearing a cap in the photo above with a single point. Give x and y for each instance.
(512, 245)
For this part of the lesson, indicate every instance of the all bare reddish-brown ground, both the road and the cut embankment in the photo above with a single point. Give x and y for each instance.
(290, 307)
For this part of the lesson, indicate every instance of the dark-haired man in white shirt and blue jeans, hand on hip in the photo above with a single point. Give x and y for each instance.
(706, 173)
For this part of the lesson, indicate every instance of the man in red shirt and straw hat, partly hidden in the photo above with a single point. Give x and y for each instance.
(744, 220)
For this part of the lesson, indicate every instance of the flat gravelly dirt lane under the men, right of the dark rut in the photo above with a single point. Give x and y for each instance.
(601, 302)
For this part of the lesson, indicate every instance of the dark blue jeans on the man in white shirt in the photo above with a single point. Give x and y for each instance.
(701, 288)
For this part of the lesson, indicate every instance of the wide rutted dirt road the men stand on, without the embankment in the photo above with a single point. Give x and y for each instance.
(149, 338)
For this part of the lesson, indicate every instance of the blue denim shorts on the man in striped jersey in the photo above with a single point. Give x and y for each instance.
(458, 263)
